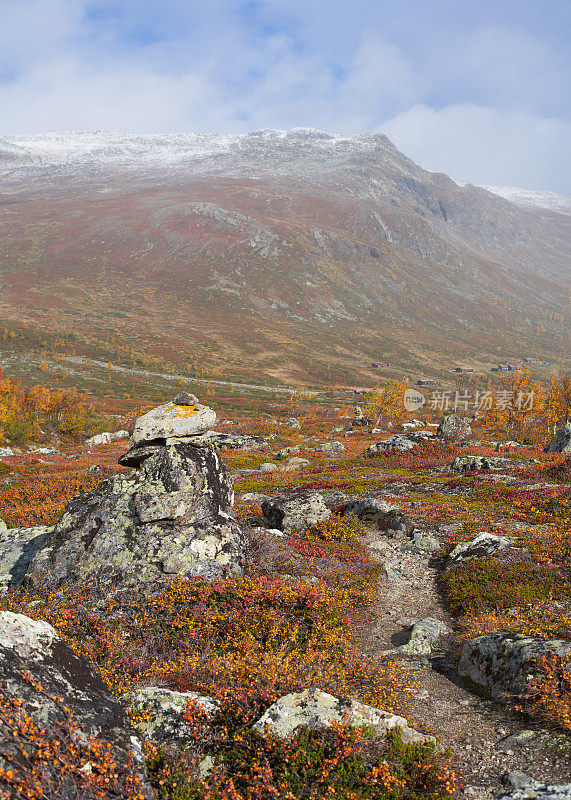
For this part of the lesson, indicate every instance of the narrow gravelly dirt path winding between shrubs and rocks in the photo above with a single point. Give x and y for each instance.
(471, 726)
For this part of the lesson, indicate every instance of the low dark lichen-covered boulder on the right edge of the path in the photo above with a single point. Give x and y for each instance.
(505, 663)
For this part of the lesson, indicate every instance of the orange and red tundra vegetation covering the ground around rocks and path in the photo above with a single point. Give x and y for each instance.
(292, 619)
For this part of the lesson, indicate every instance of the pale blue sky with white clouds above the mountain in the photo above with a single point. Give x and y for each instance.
(478, 89)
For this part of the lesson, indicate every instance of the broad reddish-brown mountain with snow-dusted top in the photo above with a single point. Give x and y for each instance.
(304, 253)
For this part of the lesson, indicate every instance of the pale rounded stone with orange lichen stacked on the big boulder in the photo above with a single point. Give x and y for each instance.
(173, 421)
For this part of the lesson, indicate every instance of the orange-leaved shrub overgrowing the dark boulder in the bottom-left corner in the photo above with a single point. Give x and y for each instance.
(58, 760)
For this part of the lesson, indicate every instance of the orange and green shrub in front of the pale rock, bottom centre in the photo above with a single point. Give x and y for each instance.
(341, 762)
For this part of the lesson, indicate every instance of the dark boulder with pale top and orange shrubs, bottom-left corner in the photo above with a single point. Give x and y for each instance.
(45, 689)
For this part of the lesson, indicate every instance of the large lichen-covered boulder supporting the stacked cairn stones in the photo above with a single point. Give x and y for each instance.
(168, 518)
